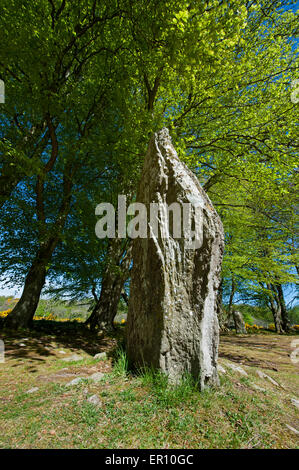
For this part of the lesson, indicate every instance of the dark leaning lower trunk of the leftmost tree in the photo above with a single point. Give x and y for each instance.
(23, 313)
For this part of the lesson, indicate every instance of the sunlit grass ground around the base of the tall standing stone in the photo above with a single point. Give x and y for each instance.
(143, 410)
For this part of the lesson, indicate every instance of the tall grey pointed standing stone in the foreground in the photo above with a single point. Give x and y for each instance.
(172, 321)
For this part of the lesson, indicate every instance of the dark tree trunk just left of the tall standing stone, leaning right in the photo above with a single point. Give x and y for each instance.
(113, 281)
